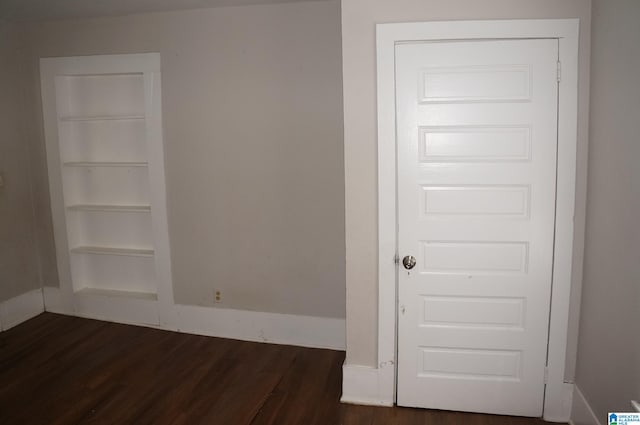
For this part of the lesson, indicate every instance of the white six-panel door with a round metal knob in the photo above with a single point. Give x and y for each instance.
(476, 133)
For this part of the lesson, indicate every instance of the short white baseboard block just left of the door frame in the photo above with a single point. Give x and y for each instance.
(367, 385)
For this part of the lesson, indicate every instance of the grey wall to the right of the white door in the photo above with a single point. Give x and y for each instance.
(608, 372)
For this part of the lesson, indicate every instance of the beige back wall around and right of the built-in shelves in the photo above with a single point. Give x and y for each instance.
(252, 118)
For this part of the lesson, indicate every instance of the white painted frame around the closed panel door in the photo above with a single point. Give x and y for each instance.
(558, 394)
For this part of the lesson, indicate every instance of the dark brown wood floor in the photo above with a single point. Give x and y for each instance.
(64, 370)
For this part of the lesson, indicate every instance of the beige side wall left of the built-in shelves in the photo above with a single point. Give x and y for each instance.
(19, 265)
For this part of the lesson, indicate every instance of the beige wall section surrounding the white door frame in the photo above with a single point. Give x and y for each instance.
(359, 72)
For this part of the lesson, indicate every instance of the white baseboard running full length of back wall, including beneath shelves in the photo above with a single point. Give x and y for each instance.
(273, 328)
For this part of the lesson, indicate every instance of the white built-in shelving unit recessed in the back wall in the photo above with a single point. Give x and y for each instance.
(103, 131)
